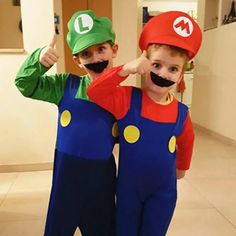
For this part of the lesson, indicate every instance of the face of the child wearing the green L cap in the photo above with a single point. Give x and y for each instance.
(96, 54)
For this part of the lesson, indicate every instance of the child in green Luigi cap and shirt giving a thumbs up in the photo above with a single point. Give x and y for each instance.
(84, 173)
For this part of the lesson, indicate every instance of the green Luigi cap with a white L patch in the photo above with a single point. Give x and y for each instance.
(86, 30)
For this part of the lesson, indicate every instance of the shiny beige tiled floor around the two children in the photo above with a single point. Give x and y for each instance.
(206, 204)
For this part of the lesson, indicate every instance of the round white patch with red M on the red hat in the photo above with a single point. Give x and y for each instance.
(183, 26)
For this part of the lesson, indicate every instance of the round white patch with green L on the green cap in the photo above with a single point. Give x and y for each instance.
(83, 24)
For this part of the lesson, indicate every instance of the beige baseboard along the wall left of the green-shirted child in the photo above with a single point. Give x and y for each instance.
(26, 167)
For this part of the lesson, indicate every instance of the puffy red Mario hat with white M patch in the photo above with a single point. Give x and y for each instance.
(174, 28)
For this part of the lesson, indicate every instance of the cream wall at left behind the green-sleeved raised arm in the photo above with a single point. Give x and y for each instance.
(27, 126)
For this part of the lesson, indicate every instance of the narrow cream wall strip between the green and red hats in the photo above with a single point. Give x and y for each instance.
(126, 19)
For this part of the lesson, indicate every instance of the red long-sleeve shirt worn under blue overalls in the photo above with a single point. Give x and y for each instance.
(107, 93)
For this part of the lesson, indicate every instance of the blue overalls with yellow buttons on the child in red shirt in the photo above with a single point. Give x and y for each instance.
(146, 186)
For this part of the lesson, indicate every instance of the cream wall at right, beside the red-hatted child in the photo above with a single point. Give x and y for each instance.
(214, 96)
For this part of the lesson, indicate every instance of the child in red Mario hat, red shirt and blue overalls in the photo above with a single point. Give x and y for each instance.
(155, 130)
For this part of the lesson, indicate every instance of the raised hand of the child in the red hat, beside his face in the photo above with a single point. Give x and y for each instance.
(140, 65)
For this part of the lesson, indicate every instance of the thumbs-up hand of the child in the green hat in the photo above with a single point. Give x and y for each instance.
(49, 56)
